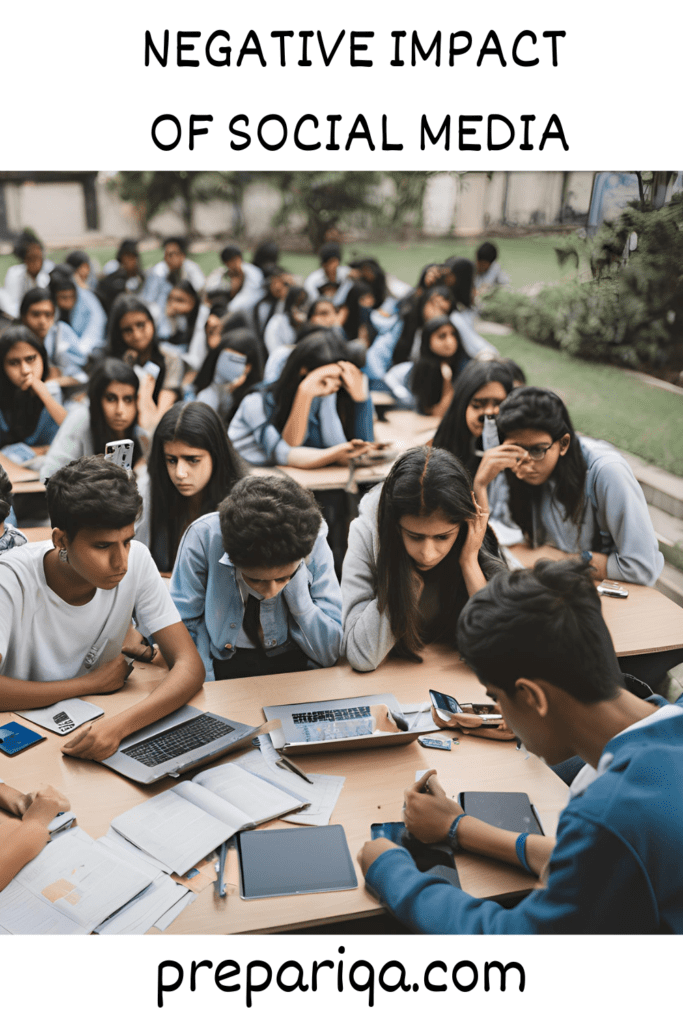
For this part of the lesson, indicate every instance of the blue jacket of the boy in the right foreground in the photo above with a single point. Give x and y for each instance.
(616, 867)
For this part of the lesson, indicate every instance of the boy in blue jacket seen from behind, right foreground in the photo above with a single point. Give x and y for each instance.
(538, 643)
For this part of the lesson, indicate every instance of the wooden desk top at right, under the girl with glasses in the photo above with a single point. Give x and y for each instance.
(644, 623)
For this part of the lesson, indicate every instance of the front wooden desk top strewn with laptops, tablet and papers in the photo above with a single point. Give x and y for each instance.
(373, 791)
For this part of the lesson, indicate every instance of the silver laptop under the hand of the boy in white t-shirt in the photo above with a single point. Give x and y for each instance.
(184, 740)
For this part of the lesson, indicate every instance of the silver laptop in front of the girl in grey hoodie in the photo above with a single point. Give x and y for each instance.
(351, 723)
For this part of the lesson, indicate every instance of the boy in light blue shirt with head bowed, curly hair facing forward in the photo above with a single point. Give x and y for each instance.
(255, 583)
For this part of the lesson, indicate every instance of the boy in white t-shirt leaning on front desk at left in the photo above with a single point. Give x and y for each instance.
(66, 607)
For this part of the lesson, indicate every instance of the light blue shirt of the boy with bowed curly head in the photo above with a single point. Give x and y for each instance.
(206, 589)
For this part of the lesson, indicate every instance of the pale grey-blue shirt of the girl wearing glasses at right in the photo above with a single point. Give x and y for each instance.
(615, 517)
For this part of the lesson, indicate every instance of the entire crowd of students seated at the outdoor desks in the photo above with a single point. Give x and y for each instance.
(255, 584)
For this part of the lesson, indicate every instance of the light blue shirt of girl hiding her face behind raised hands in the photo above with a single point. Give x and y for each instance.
(261, 443)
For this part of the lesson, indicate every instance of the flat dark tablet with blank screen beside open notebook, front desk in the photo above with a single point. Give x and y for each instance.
(287, 862)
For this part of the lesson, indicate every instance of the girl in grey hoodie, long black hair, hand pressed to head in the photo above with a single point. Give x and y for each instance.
(418, 550)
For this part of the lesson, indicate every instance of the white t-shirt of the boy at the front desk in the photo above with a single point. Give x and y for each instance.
(44, 638)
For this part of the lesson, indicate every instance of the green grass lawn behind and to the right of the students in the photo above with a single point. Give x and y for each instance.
(604, 402)
